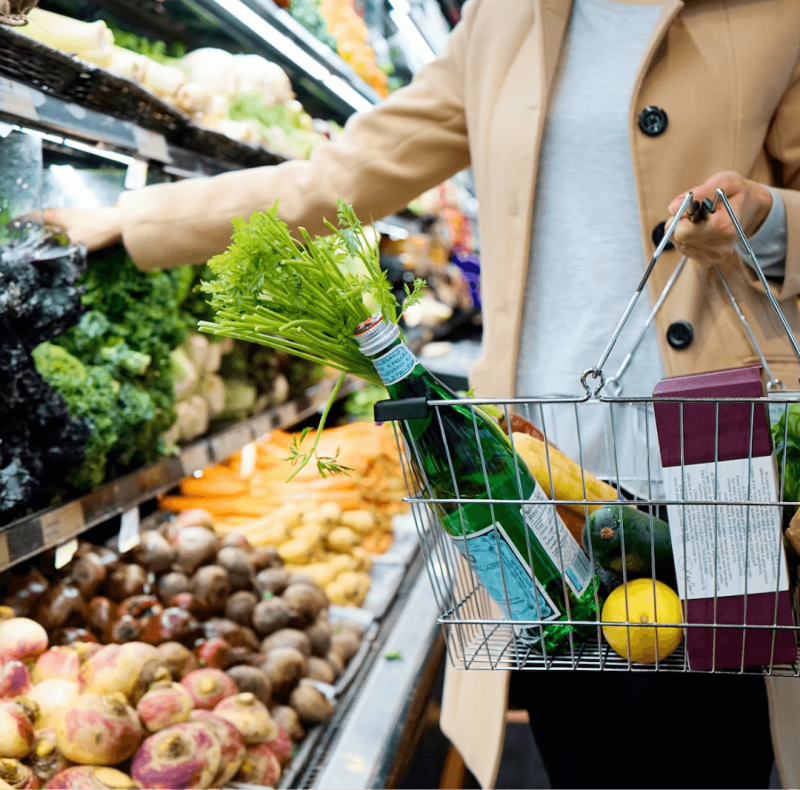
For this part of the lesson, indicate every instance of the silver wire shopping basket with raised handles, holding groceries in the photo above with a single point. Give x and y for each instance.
(740, 617)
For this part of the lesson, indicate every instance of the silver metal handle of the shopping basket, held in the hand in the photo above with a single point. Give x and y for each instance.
(696, 212)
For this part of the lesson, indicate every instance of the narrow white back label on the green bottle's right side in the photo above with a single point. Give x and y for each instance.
(545, 523)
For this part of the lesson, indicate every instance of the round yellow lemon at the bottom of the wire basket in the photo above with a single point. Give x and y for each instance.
(642, 606)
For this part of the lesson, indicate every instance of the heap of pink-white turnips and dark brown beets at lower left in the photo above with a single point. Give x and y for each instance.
(191, 661)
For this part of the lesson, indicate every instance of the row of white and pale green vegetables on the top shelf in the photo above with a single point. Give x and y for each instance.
(245, 97)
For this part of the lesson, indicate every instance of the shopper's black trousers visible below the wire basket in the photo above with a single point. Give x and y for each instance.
(642, 730)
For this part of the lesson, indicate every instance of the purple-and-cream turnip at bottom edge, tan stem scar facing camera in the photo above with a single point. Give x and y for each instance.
(184, 755)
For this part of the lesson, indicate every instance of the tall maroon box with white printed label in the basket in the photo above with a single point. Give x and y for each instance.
(703, 479)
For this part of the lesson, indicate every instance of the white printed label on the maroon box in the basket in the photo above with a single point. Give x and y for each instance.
(747, 536)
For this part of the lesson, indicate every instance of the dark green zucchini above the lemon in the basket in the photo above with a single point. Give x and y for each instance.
(605, 531)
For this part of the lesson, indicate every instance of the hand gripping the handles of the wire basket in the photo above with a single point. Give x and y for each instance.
(713, 239)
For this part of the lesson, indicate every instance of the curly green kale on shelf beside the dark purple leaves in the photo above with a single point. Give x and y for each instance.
(114, 367)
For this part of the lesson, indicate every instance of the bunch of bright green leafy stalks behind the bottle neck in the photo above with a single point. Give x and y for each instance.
(303, 299)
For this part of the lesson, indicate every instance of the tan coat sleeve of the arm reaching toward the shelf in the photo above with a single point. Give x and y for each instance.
(385, 158)
